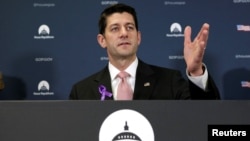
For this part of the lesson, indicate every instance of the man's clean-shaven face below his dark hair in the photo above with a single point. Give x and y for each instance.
(121, 37)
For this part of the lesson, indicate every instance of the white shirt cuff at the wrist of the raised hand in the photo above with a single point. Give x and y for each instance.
(200, 81)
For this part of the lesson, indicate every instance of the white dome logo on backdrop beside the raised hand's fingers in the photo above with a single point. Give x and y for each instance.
(175, 30)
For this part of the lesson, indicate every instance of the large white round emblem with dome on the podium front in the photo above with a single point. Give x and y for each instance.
(126, 125)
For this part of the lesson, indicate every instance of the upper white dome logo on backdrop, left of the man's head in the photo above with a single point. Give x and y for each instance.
(44, 33)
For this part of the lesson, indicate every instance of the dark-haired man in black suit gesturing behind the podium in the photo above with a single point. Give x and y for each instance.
(119, 35)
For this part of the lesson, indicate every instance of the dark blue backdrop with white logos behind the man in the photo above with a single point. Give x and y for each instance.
(48, 45)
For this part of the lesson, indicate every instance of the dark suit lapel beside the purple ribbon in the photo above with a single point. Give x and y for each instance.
(103, 78)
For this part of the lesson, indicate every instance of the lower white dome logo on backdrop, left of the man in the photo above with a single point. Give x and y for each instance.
(43, 88)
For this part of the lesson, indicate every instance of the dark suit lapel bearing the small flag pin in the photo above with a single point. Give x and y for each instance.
(145, 81)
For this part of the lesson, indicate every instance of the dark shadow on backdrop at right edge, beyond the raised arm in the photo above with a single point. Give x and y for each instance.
(232, 84)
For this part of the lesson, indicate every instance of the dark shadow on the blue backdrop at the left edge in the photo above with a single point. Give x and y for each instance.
(14, 89)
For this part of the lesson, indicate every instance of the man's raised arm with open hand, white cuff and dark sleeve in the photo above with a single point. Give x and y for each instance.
(201, 83)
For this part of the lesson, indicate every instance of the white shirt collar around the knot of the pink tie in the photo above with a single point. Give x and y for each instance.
(131, 69)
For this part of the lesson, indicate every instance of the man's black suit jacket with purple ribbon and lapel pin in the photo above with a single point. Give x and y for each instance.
(152, 82)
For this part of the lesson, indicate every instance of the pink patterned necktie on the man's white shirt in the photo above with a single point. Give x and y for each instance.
(124, 91)
